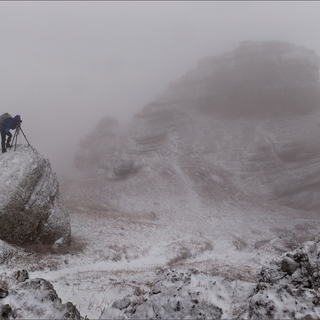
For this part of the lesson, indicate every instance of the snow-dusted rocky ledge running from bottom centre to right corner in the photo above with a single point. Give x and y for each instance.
(287, 288)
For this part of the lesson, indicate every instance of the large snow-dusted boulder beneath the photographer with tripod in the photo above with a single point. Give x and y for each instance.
(31, 207)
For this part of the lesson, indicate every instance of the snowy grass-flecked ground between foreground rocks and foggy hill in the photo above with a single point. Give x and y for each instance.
(118, 253)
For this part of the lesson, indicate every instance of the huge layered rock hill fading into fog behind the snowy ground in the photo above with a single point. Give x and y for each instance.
(247, 121)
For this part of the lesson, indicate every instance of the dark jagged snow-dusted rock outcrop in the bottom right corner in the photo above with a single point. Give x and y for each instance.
(288, 287)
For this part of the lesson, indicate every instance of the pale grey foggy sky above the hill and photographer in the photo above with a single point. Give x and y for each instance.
(64, 65)
